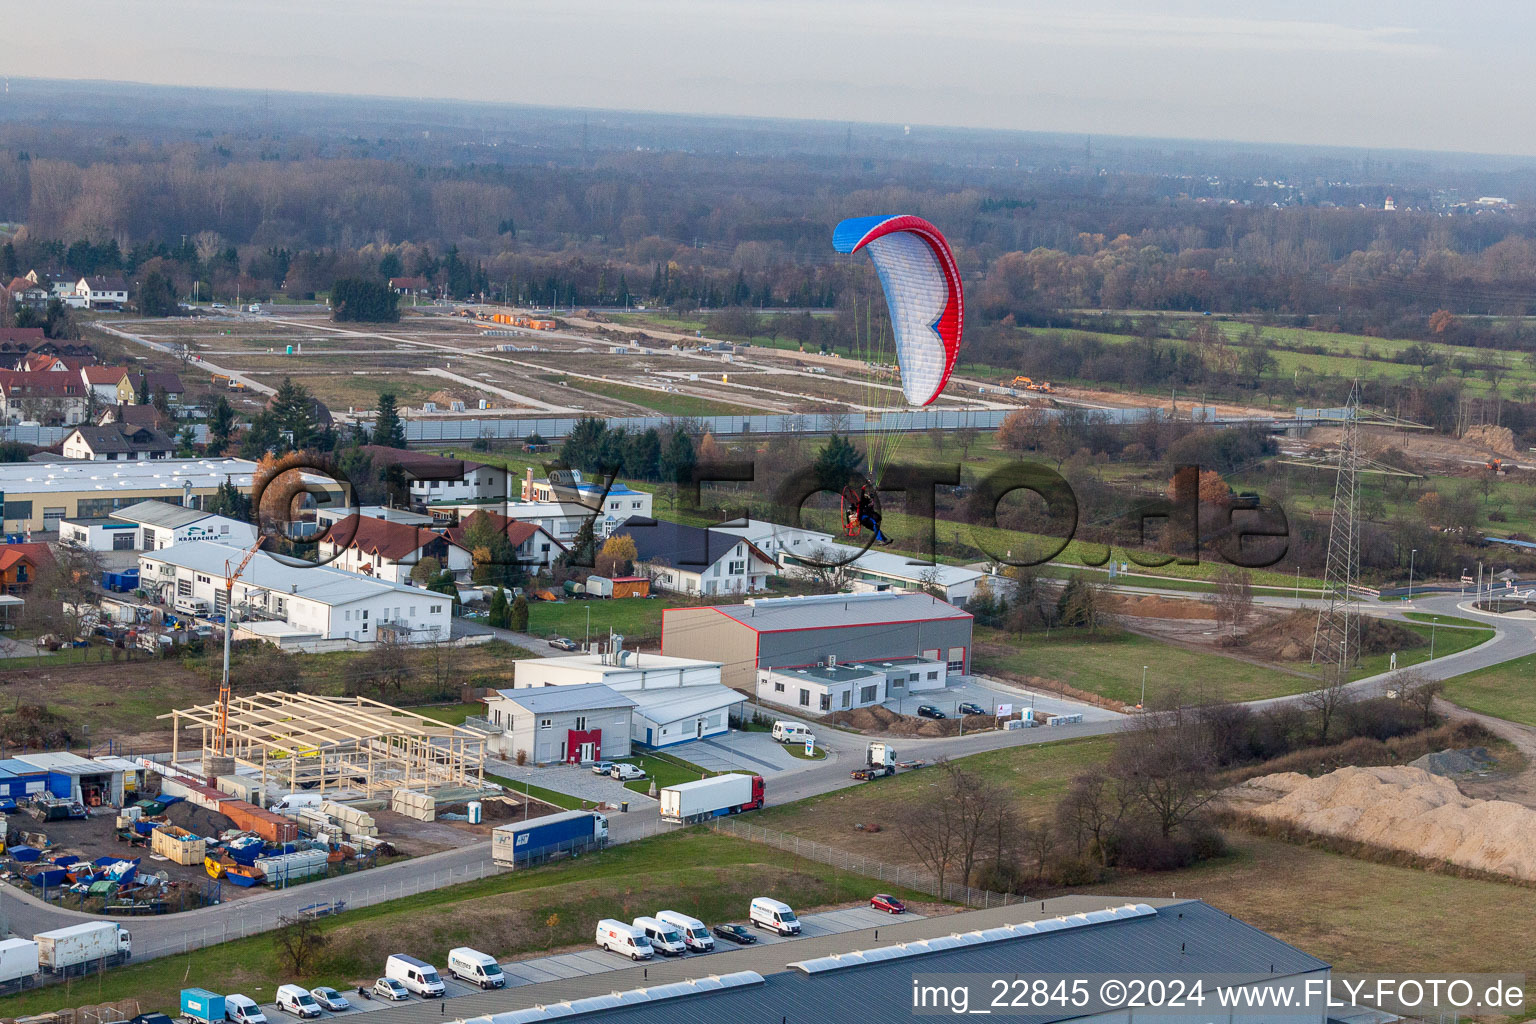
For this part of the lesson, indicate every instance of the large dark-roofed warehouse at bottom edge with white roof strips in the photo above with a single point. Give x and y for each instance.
(853, 976)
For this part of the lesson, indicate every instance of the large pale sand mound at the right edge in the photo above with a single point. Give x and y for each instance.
(1400, 808)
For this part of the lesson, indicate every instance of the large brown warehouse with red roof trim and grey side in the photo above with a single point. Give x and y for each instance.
(806, 632)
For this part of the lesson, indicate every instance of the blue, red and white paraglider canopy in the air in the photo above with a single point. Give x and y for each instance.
(922, 291)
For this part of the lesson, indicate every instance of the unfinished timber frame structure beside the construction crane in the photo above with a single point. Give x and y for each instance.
(328, 744)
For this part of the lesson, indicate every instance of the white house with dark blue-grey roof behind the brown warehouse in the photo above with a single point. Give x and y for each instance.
(697, 561)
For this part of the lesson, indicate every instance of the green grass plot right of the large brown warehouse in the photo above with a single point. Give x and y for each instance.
(1110, 664)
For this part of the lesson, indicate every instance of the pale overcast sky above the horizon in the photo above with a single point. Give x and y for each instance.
(1418, 74)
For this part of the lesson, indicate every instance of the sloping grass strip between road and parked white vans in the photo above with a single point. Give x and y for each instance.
(525, 913)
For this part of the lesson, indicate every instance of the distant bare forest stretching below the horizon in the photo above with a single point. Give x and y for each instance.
(586, 222)
